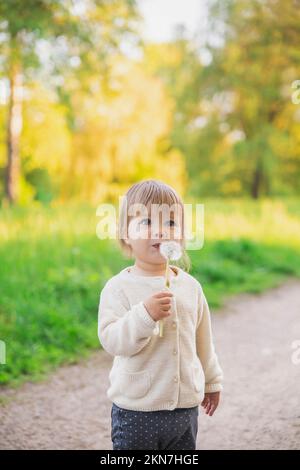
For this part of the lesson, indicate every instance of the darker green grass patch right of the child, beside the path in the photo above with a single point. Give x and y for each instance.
(228, 267)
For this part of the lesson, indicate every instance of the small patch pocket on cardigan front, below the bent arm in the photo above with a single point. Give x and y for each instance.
(135, 384)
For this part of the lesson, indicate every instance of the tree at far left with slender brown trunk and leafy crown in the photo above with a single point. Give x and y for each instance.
(84, 32)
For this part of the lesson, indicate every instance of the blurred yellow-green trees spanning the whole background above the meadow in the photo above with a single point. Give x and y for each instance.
(224, 127)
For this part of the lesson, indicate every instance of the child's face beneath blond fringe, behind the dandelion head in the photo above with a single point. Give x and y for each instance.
(146, 232)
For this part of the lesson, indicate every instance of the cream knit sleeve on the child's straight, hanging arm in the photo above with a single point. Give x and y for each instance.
(205, 348)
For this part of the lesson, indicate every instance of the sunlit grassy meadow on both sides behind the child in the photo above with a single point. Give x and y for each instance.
(52, 268)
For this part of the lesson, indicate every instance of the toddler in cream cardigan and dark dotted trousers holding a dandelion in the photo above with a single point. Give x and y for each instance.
(156, 382)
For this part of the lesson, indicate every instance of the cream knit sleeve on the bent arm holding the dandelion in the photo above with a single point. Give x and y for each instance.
(123, 331)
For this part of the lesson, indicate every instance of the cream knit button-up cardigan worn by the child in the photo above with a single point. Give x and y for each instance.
(150, 372)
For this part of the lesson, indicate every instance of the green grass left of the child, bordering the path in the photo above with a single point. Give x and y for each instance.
(49, 295)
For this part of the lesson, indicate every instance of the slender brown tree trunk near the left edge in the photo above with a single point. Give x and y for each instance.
(14, 128)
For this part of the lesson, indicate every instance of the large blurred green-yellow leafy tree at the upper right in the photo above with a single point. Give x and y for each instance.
(251, 73)
